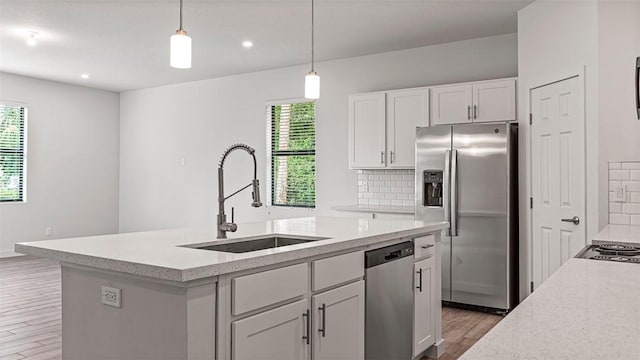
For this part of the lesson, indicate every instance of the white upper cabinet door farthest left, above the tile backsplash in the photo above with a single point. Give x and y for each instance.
(367, 147)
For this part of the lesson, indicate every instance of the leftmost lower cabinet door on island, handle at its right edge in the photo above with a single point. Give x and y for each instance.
(274, 334)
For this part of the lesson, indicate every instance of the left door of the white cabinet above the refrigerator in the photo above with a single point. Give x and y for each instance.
(451, 104)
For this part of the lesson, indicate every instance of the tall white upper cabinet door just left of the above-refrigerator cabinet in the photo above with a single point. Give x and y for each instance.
(406, 109)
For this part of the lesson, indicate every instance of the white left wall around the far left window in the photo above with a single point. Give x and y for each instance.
(72, 163)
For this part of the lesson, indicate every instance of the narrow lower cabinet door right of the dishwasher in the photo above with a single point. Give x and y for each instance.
(424, 301)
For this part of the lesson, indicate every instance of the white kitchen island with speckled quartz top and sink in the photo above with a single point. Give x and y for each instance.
(156, 295)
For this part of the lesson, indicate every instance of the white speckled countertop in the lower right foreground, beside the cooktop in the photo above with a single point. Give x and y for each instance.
(586, 310)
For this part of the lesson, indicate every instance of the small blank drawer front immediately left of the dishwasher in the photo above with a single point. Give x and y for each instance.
(337, 270)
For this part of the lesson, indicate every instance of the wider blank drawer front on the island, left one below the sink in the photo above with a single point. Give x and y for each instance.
(254, 291)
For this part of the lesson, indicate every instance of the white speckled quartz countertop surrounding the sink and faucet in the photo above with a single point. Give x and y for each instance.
(158, 254)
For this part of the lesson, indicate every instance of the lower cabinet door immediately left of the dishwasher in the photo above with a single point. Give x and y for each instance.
(338, 323)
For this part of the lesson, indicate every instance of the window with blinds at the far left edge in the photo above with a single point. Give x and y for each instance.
(12, 154)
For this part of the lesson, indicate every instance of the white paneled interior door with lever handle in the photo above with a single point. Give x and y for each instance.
(558, 175)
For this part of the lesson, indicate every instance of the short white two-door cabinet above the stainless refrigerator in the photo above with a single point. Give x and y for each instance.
(485, 101)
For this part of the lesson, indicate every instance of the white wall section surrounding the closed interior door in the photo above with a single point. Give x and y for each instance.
(555, 39)
